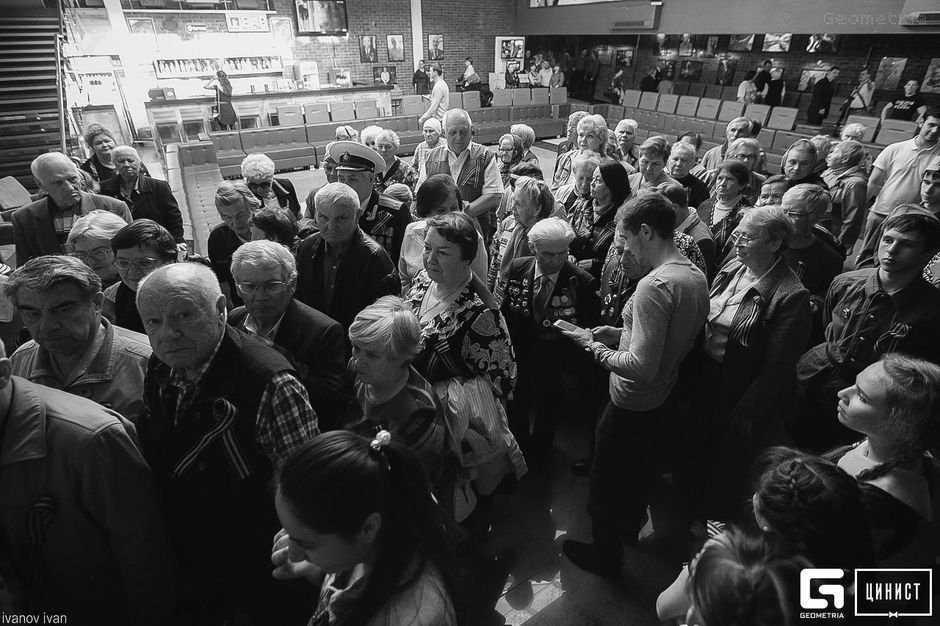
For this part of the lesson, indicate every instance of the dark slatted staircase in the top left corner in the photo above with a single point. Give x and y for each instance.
(29, 110)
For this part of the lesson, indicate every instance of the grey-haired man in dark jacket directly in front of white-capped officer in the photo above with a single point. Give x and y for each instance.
(341, 270)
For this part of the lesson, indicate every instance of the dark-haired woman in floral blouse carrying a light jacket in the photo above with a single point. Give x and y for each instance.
(466, 353)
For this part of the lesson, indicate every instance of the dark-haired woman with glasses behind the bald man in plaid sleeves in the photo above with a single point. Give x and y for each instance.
(138, 249)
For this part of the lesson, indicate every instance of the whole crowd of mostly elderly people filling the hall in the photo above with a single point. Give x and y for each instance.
(400, 347)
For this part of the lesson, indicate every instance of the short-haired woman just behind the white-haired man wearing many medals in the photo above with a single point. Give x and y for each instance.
(532, 201)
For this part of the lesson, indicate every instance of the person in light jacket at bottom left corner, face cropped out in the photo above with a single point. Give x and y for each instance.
(79, 515)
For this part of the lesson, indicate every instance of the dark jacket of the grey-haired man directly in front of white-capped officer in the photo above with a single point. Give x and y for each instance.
(365, 273)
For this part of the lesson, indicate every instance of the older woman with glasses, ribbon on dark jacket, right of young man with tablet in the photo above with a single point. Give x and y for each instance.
(757, 327)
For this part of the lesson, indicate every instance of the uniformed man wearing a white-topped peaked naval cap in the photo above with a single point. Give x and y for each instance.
(382, 217)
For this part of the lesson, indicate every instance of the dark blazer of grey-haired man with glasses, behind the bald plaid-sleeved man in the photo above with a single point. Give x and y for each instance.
(314, 344)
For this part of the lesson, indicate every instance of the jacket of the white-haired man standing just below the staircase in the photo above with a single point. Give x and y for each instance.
(34, 231)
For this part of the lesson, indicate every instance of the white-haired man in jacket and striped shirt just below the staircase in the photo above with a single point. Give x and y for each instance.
(43, 226)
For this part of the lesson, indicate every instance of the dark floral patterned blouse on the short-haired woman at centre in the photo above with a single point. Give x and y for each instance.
(467, 339)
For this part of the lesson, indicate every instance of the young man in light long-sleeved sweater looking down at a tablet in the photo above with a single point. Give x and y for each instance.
(660, 323)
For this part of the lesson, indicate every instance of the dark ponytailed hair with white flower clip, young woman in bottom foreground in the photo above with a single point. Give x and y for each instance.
(334, 482)
